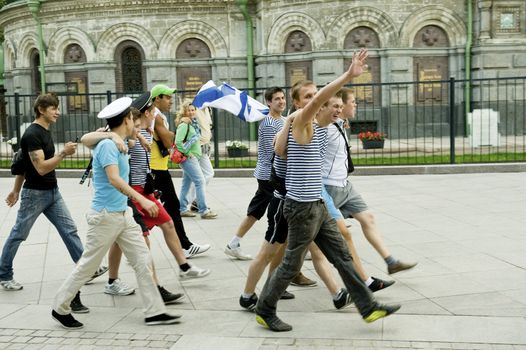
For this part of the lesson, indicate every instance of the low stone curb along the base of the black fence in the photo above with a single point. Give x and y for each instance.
(359, 170)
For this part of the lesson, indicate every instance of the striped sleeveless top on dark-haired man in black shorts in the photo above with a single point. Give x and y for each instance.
(268, 128)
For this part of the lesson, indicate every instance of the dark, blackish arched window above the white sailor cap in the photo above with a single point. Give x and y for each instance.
(130, 75)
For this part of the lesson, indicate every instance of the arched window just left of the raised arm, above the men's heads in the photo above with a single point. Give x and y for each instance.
(298, 42)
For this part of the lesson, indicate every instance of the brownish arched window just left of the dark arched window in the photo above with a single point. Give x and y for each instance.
(76, 78)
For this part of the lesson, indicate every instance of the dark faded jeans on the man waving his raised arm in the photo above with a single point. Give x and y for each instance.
(307, 222)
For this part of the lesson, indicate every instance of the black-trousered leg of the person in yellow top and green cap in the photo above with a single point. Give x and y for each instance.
(163, 182)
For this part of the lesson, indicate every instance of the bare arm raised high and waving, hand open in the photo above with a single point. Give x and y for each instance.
(356, 68)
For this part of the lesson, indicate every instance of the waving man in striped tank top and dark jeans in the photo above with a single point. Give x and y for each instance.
(305, 211)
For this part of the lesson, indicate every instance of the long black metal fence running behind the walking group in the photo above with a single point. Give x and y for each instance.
(425, 123)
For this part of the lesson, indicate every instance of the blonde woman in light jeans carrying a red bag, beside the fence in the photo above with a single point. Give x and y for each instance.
(187, 142)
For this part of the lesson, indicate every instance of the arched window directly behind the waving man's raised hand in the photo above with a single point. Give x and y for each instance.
(365, 37)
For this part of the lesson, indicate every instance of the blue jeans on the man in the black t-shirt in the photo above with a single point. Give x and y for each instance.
(32, 204)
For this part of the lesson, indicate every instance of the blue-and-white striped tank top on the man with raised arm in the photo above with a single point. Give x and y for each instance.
(304, 166)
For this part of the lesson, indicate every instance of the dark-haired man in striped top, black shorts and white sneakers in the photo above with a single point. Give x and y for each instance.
(268, 128)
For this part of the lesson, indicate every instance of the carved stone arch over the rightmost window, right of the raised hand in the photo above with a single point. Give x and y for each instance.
(438, 16)
